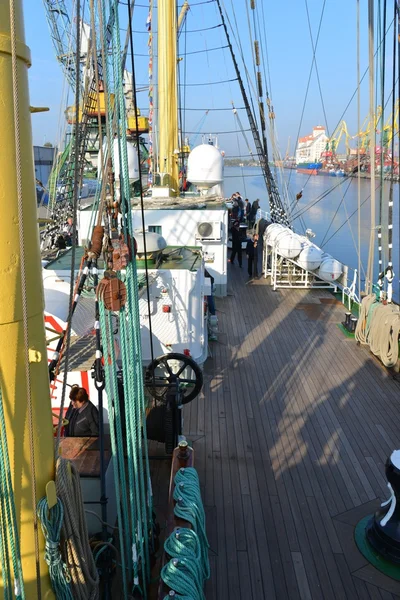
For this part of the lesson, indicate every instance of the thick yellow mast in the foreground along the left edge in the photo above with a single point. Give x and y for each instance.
(12, 348)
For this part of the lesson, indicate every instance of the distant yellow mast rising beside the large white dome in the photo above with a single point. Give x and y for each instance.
(167, 95)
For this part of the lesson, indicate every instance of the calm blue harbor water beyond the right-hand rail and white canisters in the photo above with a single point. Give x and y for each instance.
(334, 217)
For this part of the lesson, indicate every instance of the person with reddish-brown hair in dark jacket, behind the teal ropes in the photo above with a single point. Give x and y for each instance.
(82, 415)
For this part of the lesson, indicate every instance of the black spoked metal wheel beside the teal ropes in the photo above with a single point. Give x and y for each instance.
(174, 369)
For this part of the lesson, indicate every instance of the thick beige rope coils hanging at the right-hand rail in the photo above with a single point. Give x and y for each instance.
(380, 330)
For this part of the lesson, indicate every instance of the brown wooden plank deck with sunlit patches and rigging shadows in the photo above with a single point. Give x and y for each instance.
(291, 436)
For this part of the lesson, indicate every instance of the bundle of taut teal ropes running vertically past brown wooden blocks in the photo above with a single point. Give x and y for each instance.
(127, 415)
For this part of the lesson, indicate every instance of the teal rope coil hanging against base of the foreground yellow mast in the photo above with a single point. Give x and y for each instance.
(51, 521)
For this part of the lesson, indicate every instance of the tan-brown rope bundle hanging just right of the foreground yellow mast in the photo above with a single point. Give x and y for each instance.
(78, 554)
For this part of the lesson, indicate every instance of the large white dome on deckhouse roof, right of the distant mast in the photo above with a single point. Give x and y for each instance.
(205, 166)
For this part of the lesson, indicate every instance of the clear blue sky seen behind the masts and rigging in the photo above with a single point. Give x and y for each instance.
(289, 53)
